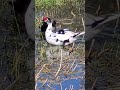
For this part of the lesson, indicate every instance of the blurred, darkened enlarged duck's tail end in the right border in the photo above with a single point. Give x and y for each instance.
(93, 24)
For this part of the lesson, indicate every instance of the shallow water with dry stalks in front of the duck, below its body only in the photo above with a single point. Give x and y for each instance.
(72, 68)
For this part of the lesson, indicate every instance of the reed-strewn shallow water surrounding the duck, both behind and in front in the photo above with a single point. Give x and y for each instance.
(55, 68)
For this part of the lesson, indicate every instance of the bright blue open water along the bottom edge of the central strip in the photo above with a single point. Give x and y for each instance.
(76, 84)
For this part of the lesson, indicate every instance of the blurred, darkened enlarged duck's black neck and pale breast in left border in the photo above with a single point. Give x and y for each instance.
(24, 11)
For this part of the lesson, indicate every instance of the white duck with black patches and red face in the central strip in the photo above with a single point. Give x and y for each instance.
(60, 37)
